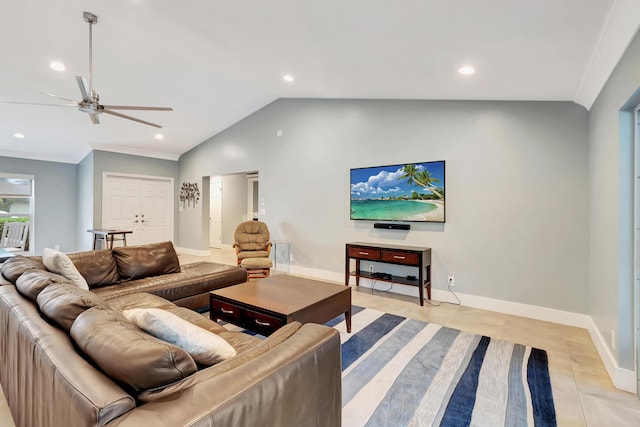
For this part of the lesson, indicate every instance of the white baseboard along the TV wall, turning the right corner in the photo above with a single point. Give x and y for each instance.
(623, 379)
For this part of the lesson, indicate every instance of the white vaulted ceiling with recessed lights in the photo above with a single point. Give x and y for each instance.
(215, 62)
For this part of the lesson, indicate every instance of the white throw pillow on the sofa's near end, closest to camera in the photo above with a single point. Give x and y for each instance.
(205, 347)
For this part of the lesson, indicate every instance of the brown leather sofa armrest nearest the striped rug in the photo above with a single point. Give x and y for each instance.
(296, 383)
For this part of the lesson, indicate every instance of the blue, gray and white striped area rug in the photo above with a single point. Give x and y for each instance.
(403, 372)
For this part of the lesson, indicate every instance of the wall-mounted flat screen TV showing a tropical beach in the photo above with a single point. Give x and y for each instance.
(405, 192)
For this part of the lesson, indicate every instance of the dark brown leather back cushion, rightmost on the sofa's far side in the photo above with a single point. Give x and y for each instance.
(136, 262)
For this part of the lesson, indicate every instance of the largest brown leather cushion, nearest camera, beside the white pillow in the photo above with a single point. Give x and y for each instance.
(128, 354)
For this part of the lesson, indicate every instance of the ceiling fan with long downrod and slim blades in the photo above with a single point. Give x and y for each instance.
(90, 99)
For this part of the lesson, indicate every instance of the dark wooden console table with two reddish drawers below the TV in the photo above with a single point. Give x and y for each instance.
(391, 254)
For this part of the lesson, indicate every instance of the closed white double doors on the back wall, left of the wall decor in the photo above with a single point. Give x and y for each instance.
(139, 204)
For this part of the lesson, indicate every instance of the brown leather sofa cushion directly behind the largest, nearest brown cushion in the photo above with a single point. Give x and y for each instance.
(63, 302)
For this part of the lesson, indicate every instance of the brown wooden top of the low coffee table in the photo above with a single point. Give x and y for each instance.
(281, 293)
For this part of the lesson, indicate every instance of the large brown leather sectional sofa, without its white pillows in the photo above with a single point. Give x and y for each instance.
(69, 357)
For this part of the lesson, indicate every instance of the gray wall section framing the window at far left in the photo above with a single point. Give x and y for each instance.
(55, 201)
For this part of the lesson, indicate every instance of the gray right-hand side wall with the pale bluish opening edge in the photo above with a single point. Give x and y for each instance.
(611, 144)
